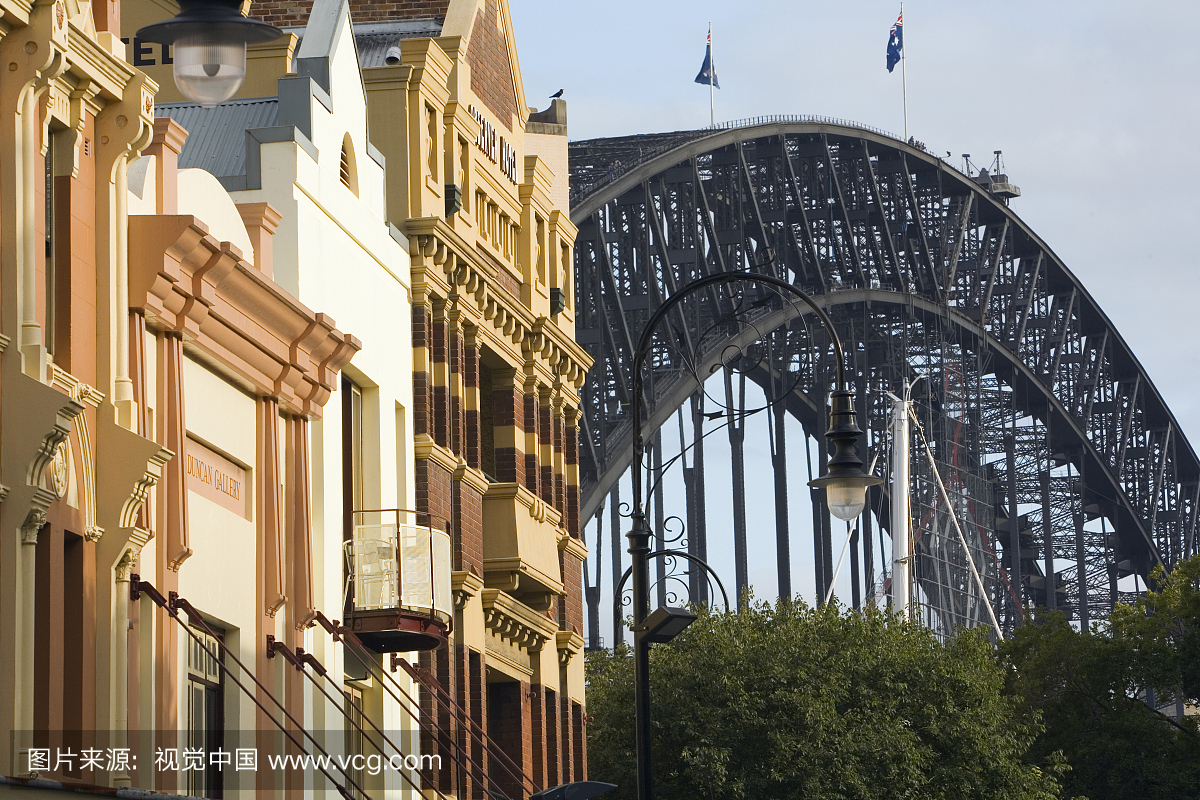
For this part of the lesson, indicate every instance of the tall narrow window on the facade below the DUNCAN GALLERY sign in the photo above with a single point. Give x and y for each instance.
(206, 711)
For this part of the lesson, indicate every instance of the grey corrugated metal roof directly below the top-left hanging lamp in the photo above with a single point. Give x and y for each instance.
(217, 137)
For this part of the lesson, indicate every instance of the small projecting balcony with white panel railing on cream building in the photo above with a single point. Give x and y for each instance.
(398, 587)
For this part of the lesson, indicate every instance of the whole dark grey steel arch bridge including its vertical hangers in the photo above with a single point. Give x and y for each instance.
(1066, 467)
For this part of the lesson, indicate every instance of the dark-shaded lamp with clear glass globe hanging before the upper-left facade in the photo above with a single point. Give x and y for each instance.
(211, 39)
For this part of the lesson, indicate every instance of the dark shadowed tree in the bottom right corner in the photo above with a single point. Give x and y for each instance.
(1093, 691)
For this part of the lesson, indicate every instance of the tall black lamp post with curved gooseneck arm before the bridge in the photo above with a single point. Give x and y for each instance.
(845, 485)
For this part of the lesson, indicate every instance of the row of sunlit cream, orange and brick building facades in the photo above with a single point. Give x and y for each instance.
(227, 524)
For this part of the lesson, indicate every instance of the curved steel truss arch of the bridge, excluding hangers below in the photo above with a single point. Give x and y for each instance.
(920, 268)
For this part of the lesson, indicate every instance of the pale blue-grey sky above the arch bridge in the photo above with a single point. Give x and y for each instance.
(1095, 106)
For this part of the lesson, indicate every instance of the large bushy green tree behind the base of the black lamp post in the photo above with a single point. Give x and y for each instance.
(788, 701)
